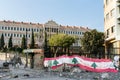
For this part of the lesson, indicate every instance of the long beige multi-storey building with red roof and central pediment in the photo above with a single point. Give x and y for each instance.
(18, 29)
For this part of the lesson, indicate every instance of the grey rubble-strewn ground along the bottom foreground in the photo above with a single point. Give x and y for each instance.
(74, 74)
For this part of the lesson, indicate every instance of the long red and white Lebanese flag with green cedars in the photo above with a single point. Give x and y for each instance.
(89, 64)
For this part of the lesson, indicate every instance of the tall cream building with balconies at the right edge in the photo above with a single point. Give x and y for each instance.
(112, 26)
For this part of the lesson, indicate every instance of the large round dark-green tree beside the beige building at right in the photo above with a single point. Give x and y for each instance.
(92, 41)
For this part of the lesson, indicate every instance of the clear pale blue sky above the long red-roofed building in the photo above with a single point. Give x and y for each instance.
(88, 13)
